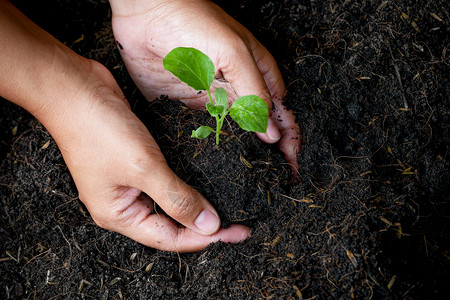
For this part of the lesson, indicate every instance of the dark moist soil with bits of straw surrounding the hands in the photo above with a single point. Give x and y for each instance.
(369, 216)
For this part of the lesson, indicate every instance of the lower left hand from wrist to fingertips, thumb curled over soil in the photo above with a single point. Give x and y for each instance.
(119, 171)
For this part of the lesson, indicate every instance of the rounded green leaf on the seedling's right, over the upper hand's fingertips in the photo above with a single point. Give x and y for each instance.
(251, 113)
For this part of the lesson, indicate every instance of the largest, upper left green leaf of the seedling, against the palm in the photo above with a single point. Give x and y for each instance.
(191, 66)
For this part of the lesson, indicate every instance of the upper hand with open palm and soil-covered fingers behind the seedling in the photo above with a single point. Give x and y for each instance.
(146, 31)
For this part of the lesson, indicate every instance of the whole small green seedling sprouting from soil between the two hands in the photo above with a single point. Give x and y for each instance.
(196, 69)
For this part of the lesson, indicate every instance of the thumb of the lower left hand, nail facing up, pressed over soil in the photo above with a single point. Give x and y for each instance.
(182, 202)
